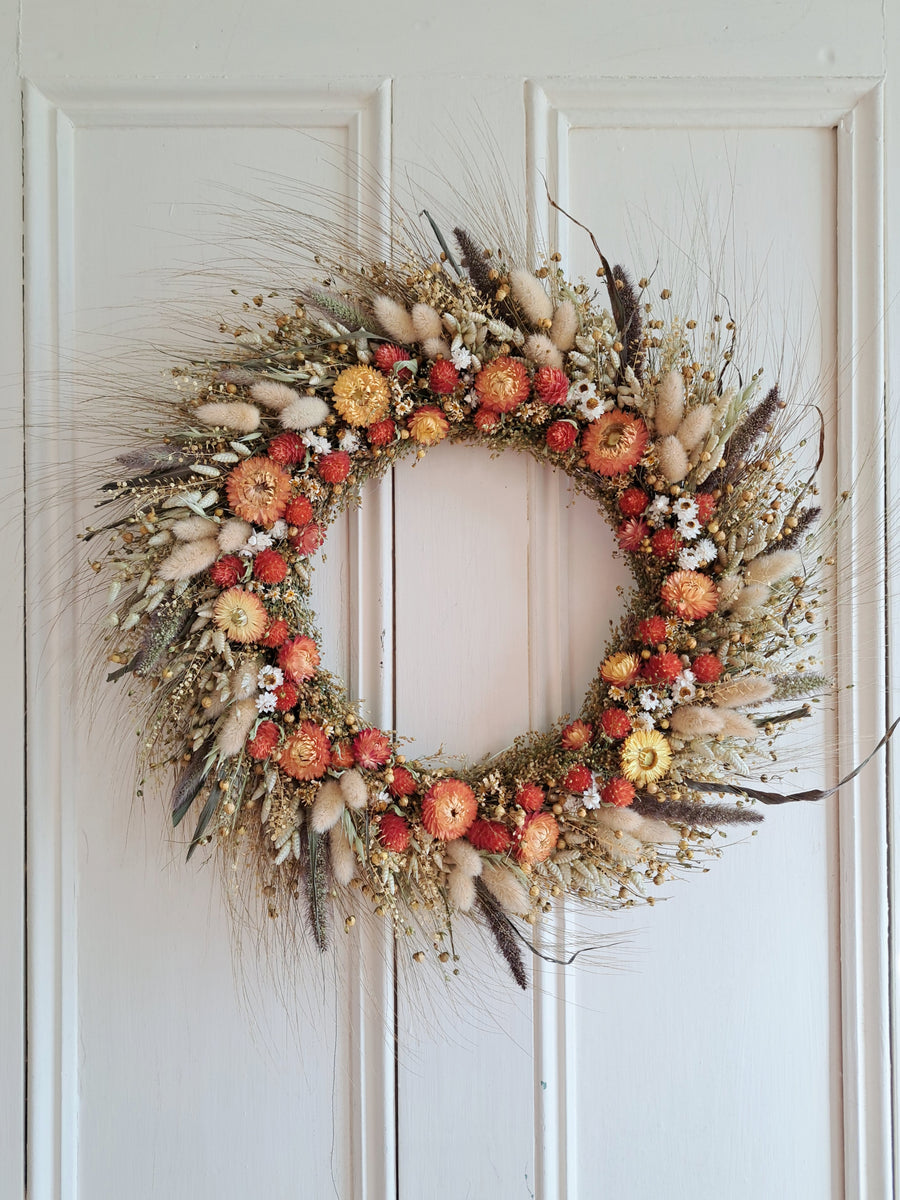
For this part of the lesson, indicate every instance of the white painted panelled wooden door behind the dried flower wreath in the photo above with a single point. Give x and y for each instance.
(734, 1041)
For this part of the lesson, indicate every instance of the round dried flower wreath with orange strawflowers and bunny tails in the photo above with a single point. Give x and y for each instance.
(229, 503)
